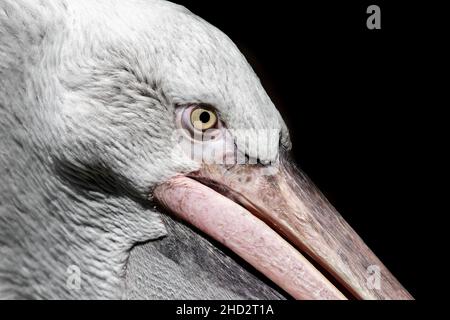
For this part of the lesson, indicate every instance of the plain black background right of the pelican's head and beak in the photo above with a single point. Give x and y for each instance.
(349, 96)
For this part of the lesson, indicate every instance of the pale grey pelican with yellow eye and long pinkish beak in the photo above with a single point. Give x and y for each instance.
(141, 158)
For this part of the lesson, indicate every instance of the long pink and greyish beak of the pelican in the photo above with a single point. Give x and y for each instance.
(284, 227)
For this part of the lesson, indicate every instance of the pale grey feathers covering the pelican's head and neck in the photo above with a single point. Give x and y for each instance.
(88, 91)
